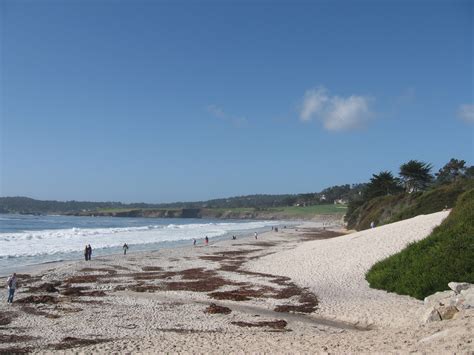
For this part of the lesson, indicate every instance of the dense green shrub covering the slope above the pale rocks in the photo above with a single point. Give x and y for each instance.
(428, 265)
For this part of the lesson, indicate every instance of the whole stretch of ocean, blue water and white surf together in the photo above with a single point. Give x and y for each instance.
(27, 240)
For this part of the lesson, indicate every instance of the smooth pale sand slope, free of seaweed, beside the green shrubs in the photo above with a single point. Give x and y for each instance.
(335, 270)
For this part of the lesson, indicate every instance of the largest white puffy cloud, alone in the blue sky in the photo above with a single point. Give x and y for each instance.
(336, 113)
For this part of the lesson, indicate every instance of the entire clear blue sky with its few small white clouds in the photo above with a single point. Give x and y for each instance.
(163, 101)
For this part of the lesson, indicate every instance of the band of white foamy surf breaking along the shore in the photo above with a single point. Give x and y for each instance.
(53, 241)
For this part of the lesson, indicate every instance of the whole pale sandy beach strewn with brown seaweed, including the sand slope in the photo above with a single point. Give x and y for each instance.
(299, 290)
